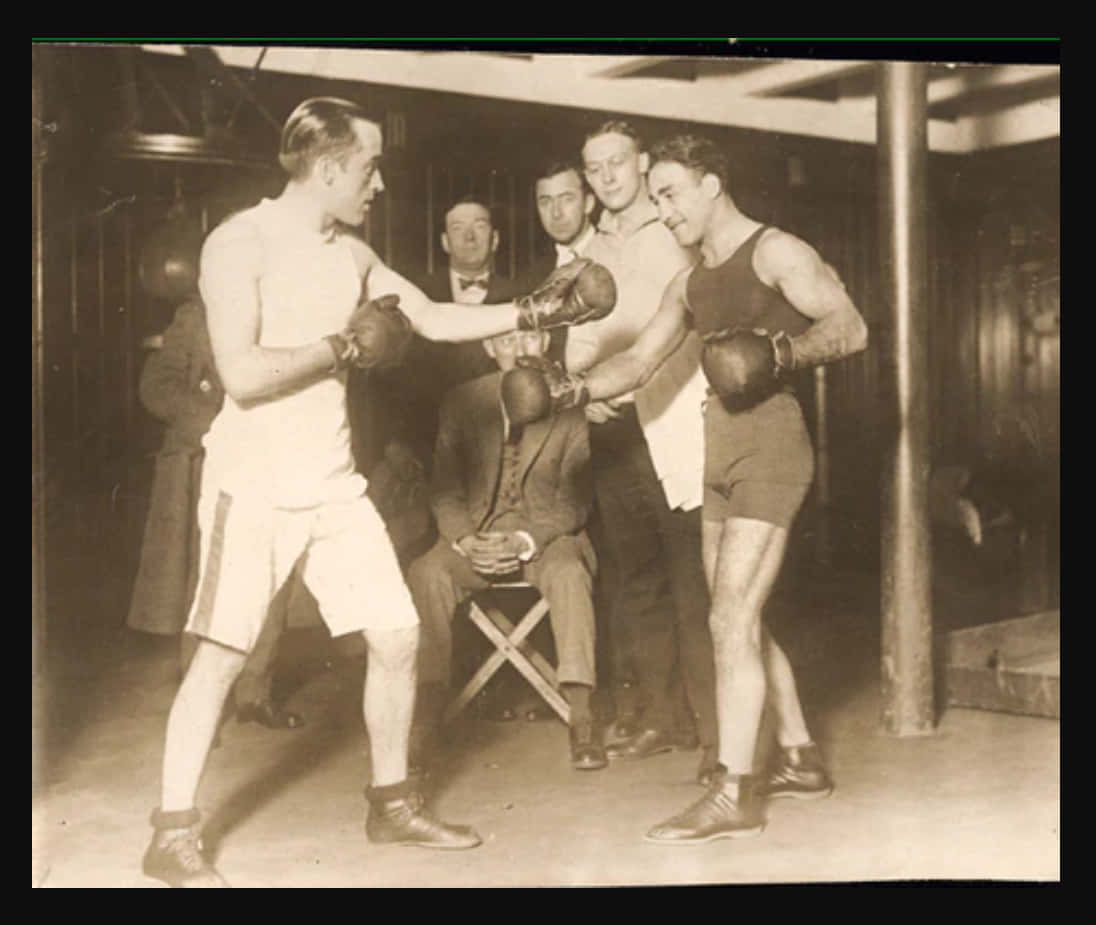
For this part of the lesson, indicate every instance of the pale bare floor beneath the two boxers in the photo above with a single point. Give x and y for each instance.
(977, 801)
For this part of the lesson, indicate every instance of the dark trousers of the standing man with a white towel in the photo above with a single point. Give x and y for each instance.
(656, 593)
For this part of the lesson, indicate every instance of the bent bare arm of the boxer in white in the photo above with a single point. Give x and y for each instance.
(232, 261)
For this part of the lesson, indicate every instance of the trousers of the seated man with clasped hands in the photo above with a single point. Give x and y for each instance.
(563, 573)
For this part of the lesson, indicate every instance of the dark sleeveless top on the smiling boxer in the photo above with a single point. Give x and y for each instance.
(730, 295)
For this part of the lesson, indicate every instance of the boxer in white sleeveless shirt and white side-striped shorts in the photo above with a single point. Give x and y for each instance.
(280, 282)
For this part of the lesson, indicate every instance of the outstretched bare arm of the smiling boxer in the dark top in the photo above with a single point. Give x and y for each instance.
(634, 368)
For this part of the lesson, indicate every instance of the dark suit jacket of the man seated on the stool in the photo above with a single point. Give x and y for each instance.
(556, 487)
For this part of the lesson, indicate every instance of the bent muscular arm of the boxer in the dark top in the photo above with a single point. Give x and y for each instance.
(793, 267)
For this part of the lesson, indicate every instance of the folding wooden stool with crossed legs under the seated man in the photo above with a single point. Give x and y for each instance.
(510, 645)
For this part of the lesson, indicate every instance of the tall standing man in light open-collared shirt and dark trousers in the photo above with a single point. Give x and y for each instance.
(647, 454)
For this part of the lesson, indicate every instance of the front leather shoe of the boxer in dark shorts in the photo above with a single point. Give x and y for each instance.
(729, 810)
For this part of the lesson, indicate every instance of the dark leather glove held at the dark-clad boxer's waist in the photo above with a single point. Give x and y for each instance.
(746, 367)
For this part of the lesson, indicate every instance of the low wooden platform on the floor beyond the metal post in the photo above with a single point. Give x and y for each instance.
(1011, 666)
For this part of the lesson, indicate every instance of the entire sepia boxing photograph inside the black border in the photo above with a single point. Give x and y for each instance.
(482, 463)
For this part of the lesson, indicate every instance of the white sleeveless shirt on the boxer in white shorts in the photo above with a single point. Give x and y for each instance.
(292, 450)
